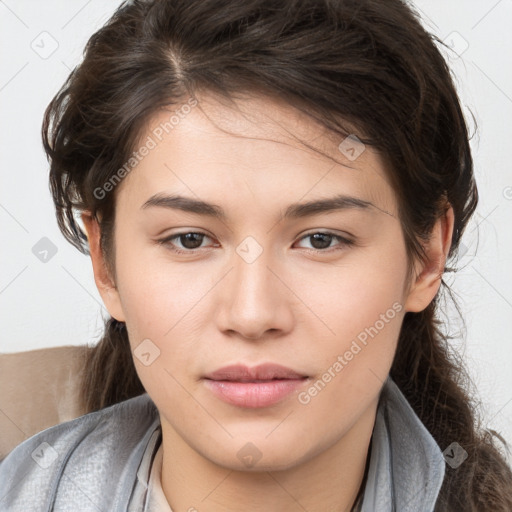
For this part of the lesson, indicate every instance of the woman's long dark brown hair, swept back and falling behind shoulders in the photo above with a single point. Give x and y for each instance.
(367, 64)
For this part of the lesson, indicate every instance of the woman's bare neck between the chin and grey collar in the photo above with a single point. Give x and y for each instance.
(331, 480)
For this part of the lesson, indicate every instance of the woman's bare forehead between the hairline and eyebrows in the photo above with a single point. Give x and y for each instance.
(262, 143)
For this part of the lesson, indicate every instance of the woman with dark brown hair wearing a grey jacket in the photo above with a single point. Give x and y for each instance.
(270, 194)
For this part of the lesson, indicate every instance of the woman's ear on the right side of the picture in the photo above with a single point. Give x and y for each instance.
(428, 275)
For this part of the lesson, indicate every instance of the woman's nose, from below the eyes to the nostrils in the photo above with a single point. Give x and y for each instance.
(253, 302)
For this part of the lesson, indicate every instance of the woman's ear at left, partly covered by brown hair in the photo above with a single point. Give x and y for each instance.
(104, 281)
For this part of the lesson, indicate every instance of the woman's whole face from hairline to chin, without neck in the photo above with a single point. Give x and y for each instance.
(319, 291)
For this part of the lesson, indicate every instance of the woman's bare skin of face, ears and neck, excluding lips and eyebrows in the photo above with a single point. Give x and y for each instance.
(294, 305)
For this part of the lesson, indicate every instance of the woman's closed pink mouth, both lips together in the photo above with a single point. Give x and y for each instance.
(256, 387)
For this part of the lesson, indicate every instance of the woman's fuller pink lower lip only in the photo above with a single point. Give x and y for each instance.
(253, 394)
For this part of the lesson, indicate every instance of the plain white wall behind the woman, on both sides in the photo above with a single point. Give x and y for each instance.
(56, 303)
